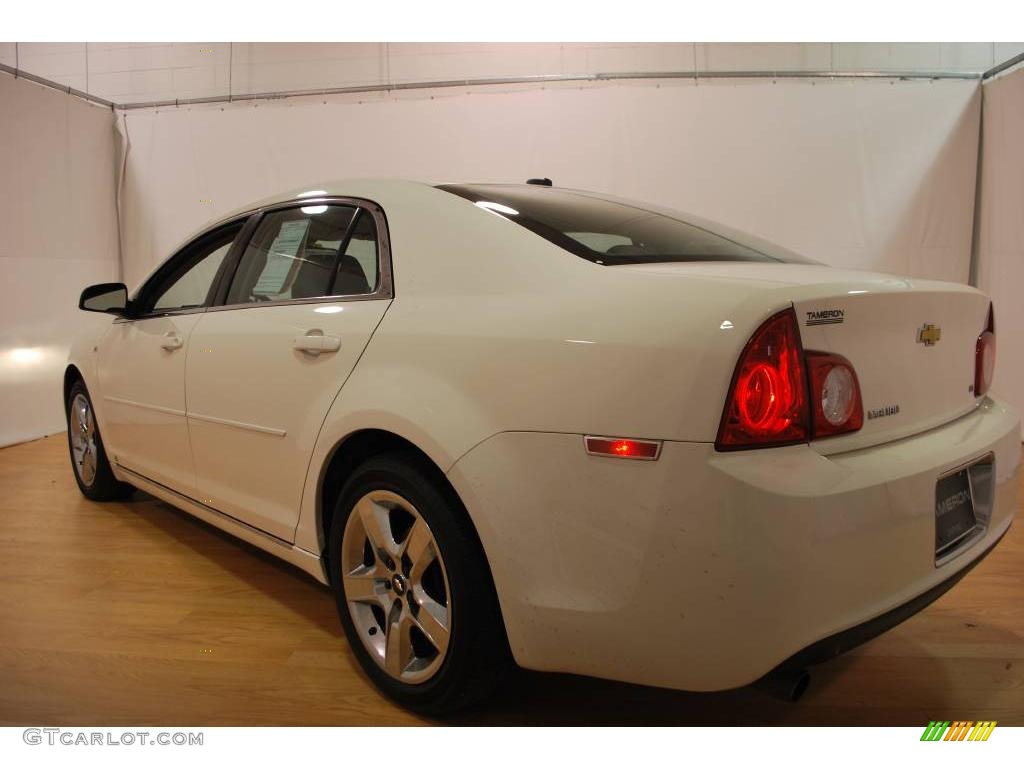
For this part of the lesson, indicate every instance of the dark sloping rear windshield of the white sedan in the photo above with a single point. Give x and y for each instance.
(603, 231)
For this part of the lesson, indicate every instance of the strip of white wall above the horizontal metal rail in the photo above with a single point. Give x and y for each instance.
(148, 72)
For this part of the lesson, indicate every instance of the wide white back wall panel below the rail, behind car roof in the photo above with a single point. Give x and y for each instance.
(857, 174)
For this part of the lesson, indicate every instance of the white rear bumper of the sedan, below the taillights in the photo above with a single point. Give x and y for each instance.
(705, 571)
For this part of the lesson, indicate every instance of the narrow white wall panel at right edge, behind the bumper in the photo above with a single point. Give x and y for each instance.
(1001, 235)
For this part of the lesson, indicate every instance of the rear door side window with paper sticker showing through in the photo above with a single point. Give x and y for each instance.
(308, 252)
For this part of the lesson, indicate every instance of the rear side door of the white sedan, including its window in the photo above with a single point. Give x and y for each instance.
(264, 368)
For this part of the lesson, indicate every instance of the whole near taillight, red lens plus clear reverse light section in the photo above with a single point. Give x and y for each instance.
(769, 402)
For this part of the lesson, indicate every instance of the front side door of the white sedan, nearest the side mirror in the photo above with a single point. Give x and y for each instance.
(142, 364)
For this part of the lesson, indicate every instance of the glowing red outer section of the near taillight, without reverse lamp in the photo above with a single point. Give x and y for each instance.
(767, 403)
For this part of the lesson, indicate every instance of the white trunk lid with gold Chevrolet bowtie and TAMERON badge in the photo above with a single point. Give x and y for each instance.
(911, 342)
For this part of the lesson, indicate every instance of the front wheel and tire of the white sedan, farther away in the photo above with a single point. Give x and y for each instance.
(89, 458)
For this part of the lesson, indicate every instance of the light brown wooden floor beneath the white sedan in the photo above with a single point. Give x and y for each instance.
(136, 614)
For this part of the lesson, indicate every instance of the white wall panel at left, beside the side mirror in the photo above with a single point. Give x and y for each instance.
(58, 234)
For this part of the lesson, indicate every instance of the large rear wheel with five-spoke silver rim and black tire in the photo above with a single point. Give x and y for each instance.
(477, 657)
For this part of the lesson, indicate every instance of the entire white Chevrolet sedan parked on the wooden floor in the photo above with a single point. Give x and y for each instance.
(519, 423)
